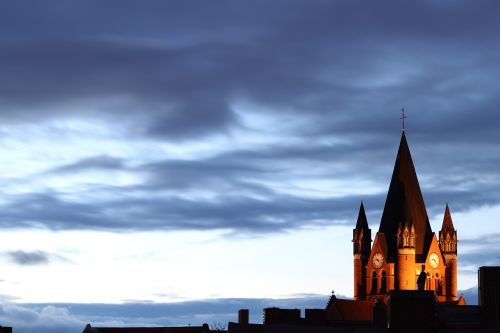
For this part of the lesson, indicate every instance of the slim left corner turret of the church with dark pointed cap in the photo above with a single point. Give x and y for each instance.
(361, 243)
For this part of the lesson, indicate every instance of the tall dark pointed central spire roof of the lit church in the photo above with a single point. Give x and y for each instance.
(405, 204)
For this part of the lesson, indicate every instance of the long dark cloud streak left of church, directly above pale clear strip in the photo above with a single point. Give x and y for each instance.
(275, 214)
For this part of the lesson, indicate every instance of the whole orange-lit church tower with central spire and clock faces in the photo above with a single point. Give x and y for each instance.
(404, 245)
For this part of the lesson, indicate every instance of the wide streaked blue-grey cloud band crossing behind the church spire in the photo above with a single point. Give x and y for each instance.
(241, 191)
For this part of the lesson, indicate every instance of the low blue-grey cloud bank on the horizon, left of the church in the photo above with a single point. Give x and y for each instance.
(27, 318)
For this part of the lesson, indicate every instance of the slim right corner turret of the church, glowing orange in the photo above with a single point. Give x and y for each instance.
(448, 244)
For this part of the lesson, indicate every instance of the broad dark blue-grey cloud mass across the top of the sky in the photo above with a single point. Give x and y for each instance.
(180, 66)
